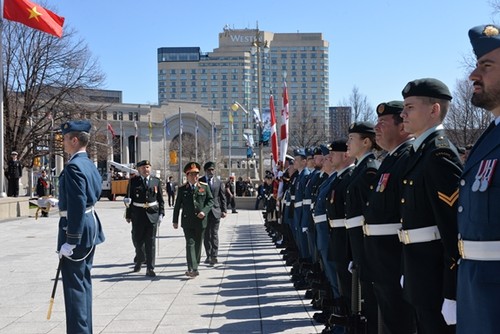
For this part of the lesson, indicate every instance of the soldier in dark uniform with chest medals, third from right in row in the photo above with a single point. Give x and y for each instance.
(382, 221)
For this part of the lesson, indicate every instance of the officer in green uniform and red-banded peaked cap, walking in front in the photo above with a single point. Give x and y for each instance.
(196, 200)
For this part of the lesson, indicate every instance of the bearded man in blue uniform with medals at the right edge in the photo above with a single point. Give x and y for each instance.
(478, 204)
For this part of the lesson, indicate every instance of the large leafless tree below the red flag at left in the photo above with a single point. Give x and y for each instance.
(44, 78)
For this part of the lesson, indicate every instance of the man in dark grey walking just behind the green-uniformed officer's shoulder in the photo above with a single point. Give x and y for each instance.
(211, 239)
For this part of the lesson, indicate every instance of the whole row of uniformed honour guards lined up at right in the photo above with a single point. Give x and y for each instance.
(407, 241)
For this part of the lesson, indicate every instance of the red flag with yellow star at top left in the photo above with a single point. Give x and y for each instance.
(34, 16)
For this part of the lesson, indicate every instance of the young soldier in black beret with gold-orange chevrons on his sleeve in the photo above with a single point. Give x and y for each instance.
(428, 207)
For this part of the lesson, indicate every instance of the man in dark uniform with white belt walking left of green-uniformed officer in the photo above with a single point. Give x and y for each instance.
(145, 210)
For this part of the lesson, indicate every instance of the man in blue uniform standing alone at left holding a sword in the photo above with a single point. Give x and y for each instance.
(79, 227)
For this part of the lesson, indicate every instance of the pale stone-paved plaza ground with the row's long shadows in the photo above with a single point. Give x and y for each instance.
(249, 291)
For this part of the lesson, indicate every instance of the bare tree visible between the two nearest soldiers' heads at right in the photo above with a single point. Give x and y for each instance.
(464, 121)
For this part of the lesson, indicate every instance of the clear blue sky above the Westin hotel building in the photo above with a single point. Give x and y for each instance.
(376, 45)
